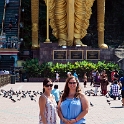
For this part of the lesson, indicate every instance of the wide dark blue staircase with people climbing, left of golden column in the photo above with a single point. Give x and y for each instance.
(11, 10)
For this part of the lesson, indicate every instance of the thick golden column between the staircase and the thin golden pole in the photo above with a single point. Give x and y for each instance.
(35, 18)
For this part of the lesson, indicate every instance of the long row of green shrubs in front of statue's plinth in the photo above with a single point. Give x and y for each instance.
(34, 69)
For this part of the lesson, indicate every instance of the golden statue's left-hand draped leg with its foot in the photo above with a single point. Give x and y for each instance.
(60, 19)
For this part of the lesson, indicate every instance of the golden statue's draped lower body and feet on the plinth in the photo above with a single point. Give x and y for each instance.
(69, 20)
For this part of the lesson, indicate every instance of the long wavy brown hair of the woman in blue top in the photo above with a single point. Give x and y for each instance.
(66, 89)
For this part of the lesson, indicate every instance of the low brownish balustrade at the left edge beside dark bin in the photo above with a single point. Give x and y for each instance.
(5, 79)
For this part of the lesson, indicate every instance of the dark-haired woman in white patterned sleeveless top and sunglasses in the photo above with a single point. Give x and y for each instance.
(47, 104)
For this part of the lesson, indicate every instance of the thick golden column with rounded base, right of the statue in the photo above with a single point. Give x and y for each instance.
(100, 21)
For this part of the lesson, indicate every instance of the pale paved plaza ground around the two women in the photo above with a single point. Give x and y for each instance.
(26, 111)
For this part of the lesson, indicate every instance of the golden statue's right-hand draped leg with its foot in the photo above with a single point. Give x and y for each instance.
(79, 14)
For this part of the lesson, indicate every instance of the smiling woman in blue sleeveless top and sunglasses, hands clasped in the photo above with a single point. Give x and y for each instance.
(73, 105)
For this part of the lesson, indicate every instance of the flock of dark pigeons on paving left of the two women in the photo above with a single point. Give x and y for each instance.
(15, 96)
